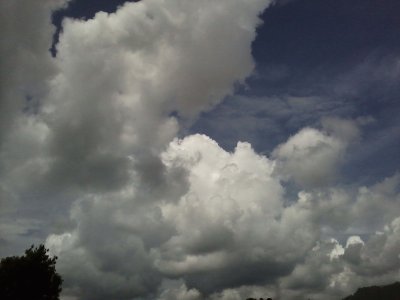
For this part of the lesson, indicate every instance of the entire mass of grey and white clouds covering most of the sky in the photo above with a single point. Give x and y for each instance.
(94, 160)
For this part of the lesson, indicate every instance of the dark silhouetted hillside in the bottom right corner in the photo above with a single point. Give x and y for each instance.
(387, 292)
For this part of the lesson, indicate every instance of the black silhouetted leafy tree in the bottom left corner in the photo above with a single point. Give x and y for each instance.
(30, 276)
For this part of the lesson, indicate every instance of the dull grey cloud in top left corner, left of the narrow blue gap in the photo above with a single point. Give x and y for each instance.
(27, 36)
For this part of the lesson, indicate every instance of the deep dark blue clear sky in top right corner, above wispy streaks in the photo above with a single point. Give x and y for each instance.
(308, 40)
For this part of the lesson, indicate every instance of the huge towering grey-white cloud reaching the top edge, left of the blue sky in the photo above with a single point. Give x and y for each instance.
(122, 75)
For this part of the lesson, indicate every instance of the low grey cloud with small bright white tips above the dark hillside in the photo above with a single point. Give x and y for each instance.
(331, 270)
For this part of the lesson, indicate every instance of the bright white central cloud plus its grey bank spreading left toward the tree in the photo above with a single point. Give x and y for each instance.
(229, 225)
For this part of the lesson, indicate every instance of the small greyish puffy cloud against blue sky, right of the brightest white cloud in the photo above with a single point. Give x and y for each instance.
(312, 157)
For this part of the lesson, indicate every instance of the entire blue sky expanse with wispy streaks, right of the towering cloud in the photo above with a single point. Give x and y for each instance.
(341, 55)
